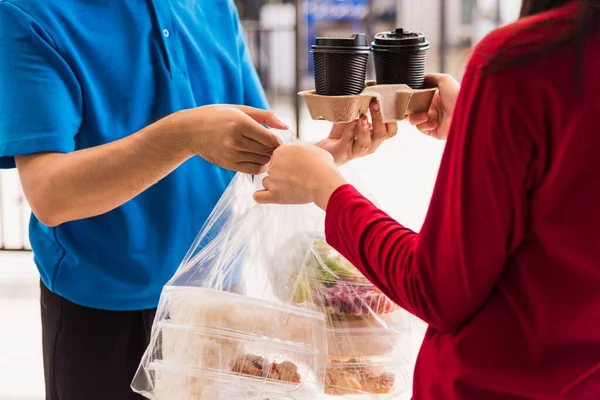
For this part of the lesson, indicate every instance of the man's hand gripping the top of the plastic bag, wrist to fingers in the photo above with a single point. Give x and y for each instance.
(231, 137)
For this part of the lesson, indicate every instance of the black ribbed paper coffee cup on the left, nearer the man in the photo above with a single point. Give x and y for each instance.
(340, 65)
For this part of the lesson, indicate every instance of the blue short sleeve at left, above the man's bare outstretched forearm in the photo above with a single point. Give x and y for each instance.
(40, 98)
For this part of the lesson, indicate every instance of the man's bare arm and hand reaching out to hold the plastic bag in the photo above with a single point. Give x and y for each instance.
(85, 183)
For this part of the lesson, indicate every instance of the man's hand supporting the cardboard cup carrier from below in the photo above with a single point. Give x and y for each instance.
(348, 141)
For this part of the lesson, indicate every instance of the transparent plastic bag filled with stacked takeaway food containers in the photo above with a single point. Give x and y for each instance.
(262, 308)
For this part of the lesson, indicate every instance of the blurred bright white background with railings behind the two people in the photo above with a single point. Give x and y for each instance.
(279, 32)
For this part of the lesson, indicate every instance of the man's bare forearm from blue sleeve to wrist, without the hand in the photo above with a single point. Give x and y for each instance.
(64, 187)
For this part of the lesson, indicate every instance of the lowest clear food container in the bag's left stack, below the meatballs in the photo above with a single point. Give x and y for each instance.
(172, 383)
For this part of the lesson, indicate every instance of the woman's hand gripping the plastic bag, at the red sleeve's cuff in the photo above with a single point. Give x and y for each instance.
(300, 174)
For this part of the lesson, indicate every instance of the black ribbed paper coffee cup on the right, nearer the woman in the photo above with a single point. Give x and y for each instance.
(400, 58)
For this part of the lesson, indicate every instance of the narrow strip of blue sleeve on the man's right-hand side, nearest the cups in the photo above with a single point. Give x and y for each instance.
(254, 93)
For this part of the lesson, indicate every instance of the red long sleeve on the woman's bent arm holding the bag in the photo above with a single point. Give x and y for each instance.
(476, 217)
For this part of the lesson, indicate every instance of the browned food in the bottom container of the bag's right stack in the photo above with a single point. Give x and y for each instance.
(356, 377)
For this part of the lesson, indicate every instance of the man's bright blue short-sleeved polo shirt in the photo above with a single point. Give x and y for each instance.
(76, 74)
